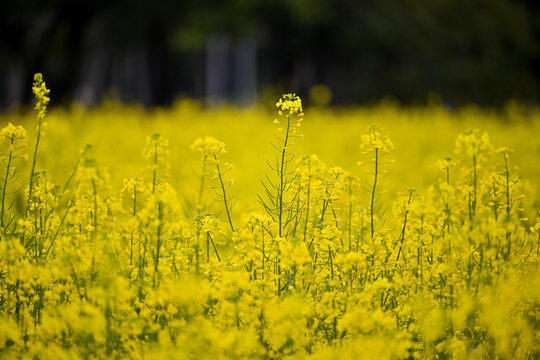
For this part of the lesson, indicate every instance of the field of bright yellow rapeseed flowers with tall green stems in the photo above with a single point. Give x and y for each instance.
(149, 243)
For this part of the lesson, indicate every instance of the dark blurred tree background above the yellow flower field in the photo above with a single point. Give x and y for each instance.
(329, 51)
